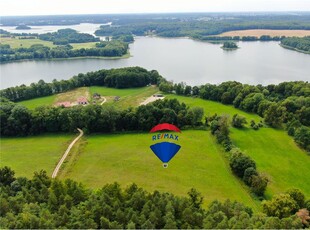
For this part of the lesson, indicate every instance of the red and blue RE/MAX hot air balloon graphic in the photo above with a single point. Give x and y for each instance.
(165, 151)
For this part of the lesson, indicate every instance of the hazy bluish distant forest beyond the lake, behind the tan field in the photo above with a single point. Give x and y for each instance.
(200, 26)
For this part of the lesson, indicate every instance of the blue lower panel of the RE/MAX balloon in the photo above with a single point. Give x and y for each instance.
(165, 151)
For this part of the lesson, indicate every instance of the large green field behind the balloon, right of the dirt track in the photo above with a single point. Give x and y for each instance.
(127, 158)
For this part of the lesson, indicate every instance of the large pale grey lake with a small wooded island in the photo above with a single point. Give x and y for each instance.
(178, 59)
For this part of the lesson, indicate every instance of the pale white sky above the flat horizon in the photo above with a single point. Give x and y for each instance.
(54, 7)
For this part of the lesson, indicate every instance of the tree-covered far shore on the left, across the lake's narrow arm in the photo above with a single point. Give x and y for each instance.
(113, 48)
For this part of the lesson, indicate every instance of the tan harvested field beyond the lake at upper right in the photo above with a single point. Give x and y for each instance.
(272, 33)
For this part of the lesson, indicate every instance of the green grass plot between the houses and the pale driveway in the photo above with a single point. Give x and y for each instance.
(128, 97)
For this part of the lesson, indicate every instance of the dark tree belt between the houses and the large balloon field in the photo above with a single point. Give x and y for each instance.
(17, 120)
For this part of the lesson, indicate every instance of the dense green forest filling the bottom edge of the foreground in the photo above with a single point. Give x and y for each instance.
(45, 203)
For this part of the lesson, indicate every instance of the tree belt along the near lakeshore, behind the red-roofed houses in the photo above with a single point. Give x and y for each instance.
(127, 77)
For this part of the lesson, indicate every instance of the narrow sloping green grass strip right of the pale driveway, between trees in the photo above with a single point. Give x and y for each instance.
(211, 107)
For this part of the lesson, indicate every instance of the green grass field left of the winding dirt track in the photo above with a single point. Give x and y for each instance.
(25, 155)
